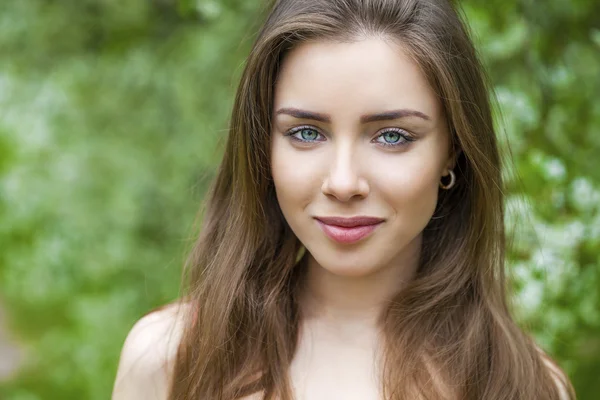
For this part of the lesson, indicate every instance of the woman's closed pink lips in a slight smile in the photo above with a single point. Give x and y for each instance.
(348, 230)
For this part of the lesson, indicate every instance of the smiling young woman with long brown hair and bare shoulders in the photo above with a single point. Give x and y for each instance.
(353, 241)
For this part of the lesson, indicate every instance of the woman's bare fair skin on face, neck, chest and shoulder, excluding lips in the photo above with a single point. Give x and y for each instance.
(356, 131)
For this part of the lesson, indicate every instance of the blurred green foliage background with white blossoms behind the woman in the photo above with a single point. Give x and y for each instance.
(112, 117)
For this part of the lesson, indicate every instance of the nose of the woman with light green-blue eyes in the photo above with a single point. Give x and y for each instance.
(343, 180)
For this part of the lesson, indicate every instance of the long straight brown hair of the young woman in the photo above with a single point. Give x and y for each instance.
(449, 334)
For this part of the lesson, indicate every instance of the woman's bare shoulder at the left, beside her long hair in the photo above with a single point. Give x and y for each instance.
(148, 354)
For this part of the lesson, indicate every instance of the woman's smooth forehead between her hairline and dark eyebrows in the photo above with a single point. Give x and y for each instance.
(348, 78)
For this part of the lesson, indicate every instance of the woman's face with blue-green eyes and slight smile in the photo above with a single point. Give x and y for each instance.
(357, 132)
